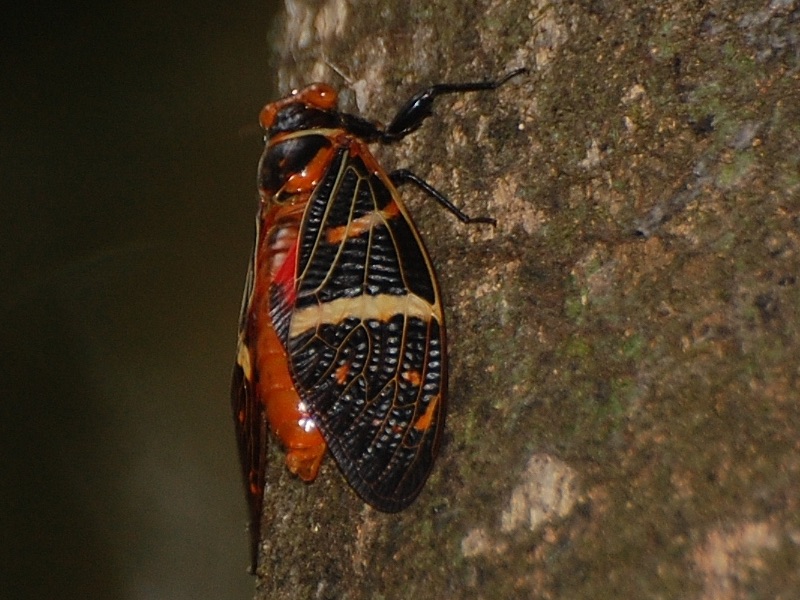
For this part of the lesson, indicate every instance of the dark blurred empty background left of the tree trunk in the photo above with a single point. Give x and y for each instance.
(129, 146)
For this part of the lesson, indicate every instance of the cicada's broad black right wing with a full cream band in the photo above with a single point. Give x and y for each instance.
(372, 369)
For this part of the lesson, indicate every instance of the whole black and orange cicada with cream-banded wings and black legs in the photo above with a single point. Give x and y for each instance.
(341, 334)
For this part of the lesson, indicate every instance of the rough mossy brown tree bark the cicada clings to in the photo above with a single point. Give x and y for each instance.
(624, 417)
